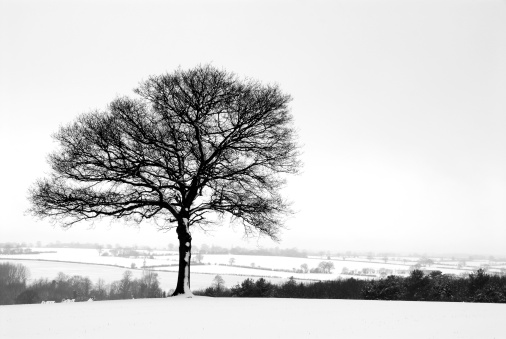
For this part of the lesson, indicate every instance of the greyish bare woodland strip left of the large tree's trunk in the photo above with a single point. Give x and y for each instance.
(15, 290)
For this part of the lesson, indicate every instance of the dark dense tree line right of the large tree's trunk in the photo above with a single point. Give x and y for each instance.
(476, 287)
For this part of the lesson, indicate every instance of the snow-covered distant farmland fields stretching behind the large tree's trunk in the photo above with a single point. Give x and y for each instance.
(103, 264)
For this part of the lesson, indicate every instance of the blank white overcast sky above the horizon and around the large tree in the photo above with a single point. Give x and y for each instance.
(400, 105)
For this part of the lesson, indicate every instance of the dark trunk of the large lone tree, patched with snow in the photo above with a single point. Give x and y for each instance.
(183, 278)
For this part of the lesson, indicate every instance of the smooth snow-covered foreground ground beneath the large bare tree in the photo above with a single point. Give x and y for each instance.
(202, 317)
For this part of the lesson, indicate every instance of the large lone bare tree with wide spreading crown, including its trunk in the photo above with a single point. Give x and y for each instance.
(195, 141)
